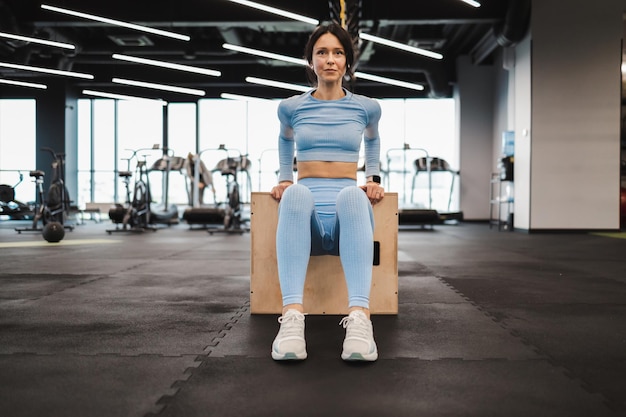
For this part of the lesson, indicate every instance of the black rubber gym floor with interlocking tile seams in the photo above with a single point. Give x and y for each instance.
(158, 324)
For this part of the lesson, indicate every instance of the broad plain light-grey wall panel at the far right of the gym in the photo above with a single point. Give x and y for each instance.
(576, 56)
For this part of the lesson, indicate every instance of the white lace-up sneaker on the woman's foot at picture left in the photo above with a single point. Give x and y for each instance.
(289, 343)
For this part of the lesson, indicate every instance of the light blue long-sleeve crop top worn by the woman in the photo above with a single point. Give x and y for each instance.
(328, 130)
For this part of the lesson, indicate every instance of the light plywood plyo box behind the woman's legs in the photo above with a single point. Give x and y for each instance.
(325, 289)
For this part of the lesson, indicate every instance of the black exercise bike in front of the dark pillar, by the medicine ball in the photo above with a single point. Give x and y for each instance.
(55, 207)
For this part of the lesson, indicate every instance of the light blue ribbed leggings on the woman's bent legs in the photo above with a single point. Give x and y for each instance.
(322, 216)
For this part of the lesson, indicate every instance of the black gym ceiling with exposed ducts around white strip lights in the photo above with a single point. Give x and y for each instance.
(451, 28)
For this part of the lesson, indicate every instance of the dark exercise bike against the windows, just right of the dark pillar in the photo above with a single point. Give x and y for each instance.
(136, 214)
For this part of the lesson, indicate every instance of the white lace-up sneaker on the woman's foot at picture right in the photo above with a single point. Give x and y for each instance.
(359, 344)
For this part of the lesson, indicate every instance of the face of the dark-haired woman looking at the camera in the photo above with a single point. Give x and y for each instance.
(329, 59)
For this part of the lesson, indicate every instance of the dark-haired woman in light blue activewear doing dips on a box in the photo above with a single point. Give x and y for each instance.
(326, 212)
